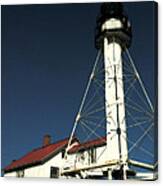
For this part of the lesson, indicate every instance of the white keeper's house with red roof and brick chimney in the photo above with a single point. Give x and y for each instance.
(48, 160)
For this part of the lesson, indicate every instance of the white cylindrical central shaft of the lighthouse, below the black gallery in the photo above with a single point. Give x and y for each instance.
(114, 97)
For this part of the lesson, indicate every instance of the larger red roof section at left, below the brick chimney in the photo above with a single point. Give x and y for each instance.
(37, 155)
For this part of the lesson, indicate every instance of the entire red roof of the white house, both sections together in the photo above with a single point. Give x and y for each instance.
(40, 155)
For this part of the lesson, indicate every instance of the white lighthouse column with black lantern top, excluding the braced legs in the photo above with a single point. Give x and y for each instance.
(113, 37)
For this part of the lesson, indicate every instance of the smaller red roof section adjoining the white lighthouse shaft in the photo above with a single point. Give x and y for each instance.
(88, 144)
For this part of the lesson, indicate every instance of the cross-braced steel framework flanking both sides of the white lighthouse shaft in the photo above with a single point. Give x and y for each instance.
(90, 121)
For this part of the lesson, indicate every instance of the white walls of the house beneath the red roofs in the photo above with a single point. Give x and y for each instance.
(76, 160)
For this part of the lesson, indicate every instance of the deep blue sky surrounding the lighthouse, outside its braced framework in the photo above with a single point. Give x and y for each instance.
(47, 55)
